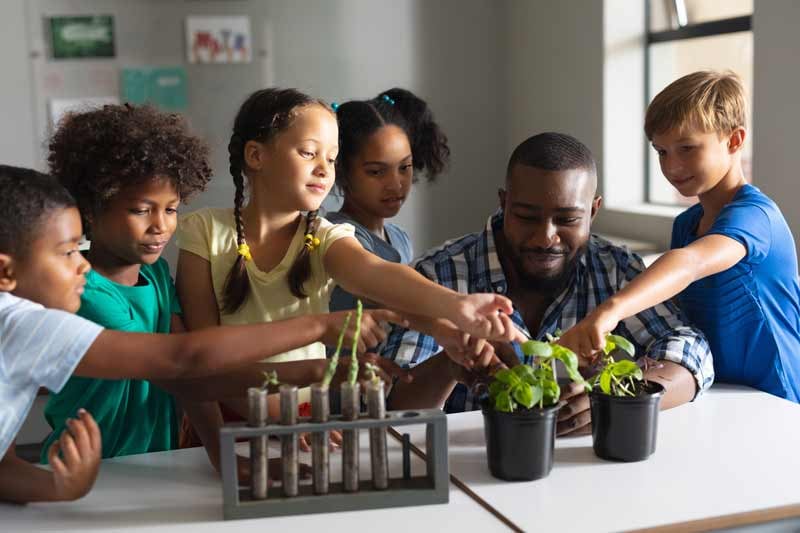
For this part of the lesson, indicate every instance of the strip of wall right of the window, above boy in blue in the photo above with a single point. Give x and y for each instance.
(776, 114)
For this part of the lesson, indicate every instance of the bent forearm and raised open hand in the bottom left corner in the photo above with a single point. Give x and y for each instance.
(72, 474)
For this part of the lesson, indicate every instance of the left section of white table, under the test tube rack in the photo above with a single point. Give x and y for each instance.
(179, 491)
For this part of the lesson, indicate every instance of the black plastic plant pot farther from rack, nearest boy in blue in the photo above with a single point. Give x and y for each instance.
(624, 428)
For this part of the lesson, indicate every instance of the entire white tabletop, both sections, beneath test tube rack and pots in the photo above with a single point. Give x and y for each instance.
(733, 451)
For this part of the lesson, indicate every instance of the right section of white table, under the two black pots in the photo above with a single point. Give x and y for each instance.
(733, 451)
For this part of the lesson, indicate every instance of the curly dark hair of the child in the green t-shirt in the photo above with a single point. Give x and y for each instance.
(97, 153)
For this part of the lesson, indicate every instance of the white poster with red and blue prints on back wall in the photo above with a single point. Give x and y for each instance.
(218, 39)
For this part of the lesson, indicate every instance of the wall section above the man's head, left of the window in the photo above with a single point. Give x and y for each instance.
(555, 71)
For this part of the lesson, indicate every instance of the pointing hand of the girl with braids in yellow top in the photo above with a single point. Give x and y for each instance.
(486, 316)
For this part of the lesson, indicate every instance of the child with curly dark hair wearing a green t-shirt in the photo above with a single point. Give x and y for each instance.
(128, 168)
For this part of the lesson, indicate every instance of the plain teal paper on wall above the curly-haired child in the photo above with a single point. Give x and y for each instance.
(164, 87)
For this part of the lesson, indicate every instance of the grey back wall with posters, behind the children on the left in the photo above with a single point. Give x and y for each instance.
(336, 50)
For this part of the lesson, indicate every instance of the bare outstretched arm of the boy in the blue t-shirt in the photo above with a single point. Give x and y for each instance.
(668, 276)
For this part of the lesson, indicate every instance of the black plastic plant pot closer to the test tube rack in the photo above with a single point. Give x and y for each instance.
(519, 445)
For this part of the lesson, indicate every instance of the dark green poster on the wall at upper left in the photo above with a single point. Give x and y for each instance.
(82, 37)
